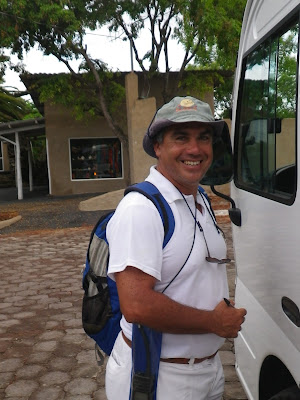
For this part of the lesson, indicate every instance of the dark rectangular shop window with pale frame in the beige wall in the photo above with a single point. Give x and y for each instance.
(96, 158)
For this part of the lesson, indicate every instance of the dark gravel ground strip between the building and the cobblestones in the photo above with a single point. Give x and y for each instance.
(41, 211)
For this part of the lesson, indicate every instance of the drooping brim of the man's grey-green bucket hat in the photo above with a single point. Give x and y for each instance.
(158, 126)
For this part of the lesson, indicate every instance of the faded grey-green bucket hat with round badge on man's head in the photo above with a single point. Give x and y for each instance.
(178, 111)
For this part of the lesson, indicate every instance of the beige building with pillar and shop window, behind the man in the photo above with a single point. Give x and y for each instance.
(87, 157)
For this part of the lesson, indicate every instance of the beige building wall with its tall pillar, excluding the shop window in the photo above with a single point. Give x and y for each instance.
(61, 126)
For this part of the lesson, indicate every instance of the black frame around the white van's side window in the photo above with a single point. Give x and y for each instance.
(276, 32)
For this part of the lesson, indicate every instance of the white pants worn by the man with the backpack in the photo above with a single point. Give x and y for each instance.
(202, 381)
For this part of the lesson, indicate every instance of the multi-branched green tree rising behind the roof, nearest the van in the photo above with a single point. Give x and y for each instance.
(207, 30)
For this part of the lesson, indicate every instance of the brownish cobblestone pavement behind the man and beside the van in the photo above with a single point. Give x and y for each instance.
(44, 354)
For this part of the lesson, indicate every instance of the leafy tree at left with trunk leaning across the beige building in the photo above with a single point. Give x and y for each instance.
(58, 27)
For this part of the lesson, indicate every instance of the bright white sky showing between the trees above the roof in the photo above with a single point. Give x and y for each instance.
(116, 55)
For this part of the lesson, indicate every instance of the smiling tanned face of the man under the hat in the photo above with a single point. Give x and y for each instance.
(185, 154)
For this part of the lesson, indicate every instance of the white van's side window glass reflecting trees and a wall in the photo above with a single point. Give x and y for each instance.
(265, 147)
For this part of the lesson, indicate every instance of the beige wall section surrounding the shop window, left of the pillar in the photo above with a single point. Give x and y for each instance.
(60, 127)
